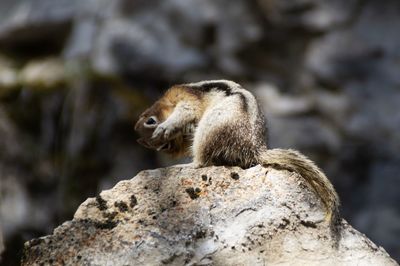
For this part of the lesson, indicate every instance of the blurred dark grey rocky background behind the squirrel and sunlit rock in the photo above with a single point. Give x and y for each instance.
(75, 75)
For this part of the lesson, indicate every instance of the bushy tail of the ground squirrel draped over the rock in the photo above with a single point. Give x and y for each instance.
(295, 161)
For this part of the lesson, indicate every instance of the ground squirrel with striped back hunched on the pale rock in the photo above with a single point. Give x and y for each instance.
(220, 123)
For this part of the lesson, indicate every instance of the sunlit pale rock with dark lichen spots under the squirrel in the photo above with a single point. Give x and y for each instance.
(208, 216)
